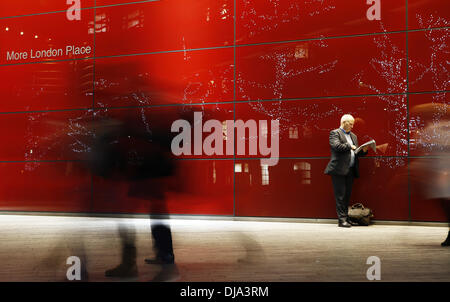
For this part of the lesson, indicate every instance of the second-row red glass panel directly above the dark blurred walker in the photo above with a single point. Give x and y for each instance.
(193, 77)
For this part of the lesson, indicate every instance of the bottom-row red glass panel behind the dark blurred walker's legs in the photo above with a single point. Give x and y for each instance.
(199, 187)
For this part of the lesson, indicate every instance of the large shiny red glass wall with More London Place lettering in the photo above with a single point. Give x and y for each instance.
(303, 63)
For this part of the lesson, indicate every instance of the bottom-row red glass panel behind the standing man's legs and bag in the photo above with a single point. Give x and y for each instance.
(298, 188)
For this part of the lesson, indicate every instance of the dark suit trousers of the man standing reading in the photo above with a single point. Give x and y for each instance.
(342, 187)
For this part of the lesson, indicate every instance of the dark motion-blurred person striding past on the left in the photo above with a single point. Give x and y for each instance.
(122, 149)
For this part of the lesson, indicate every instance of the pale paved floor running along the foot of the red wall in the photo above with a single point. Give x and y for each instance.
(36, 248)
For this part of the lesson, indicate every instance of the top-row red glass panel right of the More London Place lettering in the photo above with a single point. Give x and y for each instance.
(163, 25)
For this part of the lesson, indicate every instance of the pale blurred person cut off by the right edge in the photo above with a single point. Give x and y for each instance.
(432, 174)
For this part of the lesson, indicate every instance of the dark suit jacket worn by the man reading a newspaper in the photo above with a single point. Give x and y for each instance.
(341, 155)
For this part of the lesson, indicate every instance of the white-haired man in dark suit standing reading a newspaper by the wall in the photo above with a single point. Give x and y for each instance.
(343, 166)
